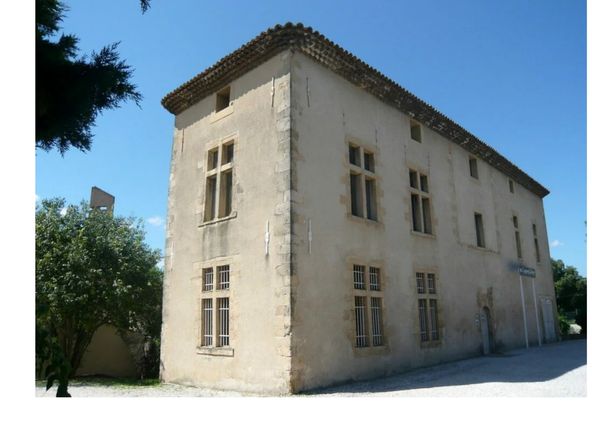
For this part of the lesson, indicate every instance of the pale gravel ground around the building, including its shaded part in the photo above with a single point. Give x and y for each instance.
(557, 369)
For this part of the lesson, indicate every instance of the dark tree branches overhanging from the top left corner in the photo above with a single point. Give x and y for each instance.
(71, 90)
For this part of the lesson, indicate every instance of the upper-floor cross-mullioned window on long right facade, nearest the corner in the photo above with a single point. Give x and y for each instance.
(362, 180)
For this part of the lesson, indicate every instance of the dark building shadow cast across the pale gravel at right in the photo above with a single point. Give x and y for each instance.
(525, 365)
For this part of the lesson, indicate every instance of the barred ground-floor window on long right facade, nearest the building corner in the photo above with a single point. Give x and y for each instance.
(368, 296)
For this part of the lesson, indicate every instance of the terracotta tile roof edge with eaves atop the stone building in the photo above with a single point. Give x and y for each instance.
(319, 48)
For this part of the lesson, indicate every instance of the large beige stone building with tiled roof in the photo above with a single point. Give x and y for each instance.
(326, 225)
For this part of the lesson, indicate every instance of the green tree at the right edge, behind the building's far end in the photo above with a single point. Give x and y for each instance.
(570, 289)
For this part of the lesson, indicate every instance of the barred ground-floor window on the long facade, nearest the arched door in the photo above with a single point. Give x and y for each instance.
(427, 306)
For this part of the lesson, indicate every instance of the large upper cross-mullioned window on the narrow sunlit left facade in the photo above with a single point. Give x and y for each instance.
(219, 180)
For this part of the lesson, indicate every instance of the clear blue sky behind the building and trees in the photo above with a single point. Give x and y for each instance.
(512, 72)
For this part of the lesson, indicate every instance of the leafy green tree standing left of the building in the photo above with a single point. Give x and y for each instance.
(92, 268)
